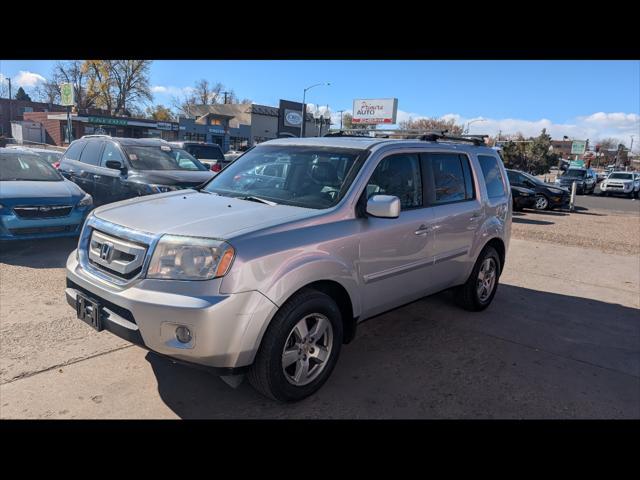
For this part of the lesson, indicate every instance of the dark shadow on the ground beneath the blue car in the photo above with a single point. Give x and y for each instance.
(45, 253)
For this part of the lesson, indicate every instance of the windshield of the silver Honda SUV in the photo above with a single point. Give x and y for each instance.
(311, 177)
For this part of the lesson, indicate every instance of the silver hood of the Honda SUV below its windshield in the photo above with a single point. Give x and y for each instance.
(198, 214)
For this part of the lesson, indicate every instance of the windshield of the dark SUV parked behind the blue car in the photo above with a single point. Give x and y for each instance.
(162, 158)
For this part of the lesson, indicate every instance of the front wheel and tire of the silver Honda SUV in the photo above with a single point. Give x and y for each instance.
(299, 349)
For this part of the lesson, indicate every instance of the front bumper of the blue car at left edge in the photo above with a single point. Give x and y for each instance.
(13, 227)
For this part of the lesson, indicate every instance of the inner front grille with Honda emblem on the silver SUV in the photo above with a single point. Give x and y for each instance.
(115, 256)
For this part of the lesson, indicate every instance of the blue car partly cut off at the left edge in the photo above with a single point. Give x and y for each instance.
(36, 201)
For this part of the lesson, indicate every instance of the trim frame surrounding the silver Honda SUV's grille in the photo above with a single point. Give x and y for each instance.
(118, 232)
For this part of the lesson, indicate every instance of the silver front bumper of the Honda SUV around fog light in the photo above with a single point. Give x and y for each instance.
(226, 329)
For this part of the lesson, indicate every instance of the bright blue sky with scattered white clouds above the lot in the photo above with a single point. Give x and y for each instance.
(574, 98)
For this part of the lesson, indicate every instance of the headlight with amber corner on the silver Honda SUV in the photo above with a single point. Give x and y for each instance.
(190, 258)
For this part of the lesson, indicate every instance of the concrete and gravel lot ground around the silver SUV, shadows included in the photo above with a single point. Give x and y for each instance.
(561, 340)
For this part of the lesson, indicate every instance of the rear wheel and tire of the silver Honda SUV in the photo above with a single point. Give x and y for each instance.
(481, 286)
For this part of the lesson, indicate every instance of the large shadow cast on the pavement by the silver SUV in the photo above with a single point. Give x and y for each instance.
(531, 354)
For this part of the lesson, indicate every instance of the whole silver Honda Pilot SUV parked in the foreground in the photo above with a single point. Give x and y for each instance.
(267, 269)
